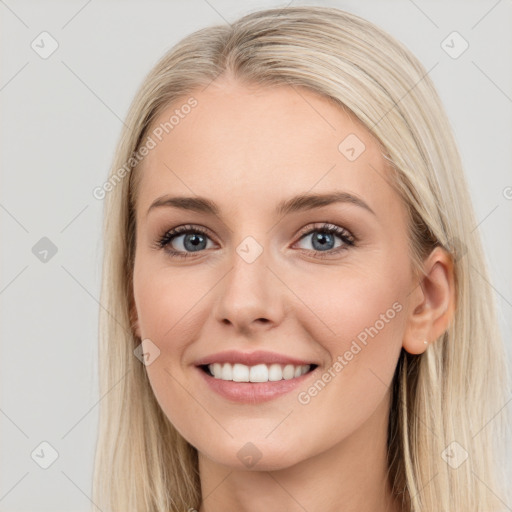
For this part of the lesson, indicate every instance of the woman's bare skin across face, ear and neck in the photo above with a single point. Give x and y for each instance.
(247, 149)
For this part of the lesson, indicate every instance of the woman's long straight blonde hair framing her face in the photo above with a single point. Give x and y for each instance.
(451, 393)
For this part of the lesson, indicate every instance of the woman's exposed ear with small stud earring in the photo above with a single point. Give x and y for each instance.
(432, 302)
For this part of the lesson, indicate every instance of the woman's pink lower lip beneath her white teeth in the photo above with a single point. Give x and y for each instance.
(253, 392)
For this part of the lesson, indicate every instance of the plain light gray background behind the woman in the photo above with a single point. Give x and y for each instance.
(60, 121)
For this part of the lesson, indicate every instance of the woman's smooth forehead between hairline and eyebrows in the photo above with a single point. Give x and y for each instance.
(242, 144)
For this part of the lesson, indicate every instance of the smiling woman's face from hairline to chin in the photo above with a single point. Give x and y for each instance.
(262, 273)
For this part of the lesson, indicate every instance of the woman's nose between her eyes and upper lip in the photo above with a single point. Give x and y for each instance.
(250, 297)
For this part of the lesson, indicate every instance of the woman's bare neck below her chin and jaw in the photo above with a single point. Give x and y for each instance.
(352, 476)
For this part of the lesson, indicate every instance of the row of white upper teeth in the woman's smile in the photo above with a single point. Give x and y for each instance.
(259, 373)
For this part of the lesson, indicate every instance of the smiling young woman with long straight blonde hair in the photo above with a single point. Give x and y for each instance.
(294, 318)
